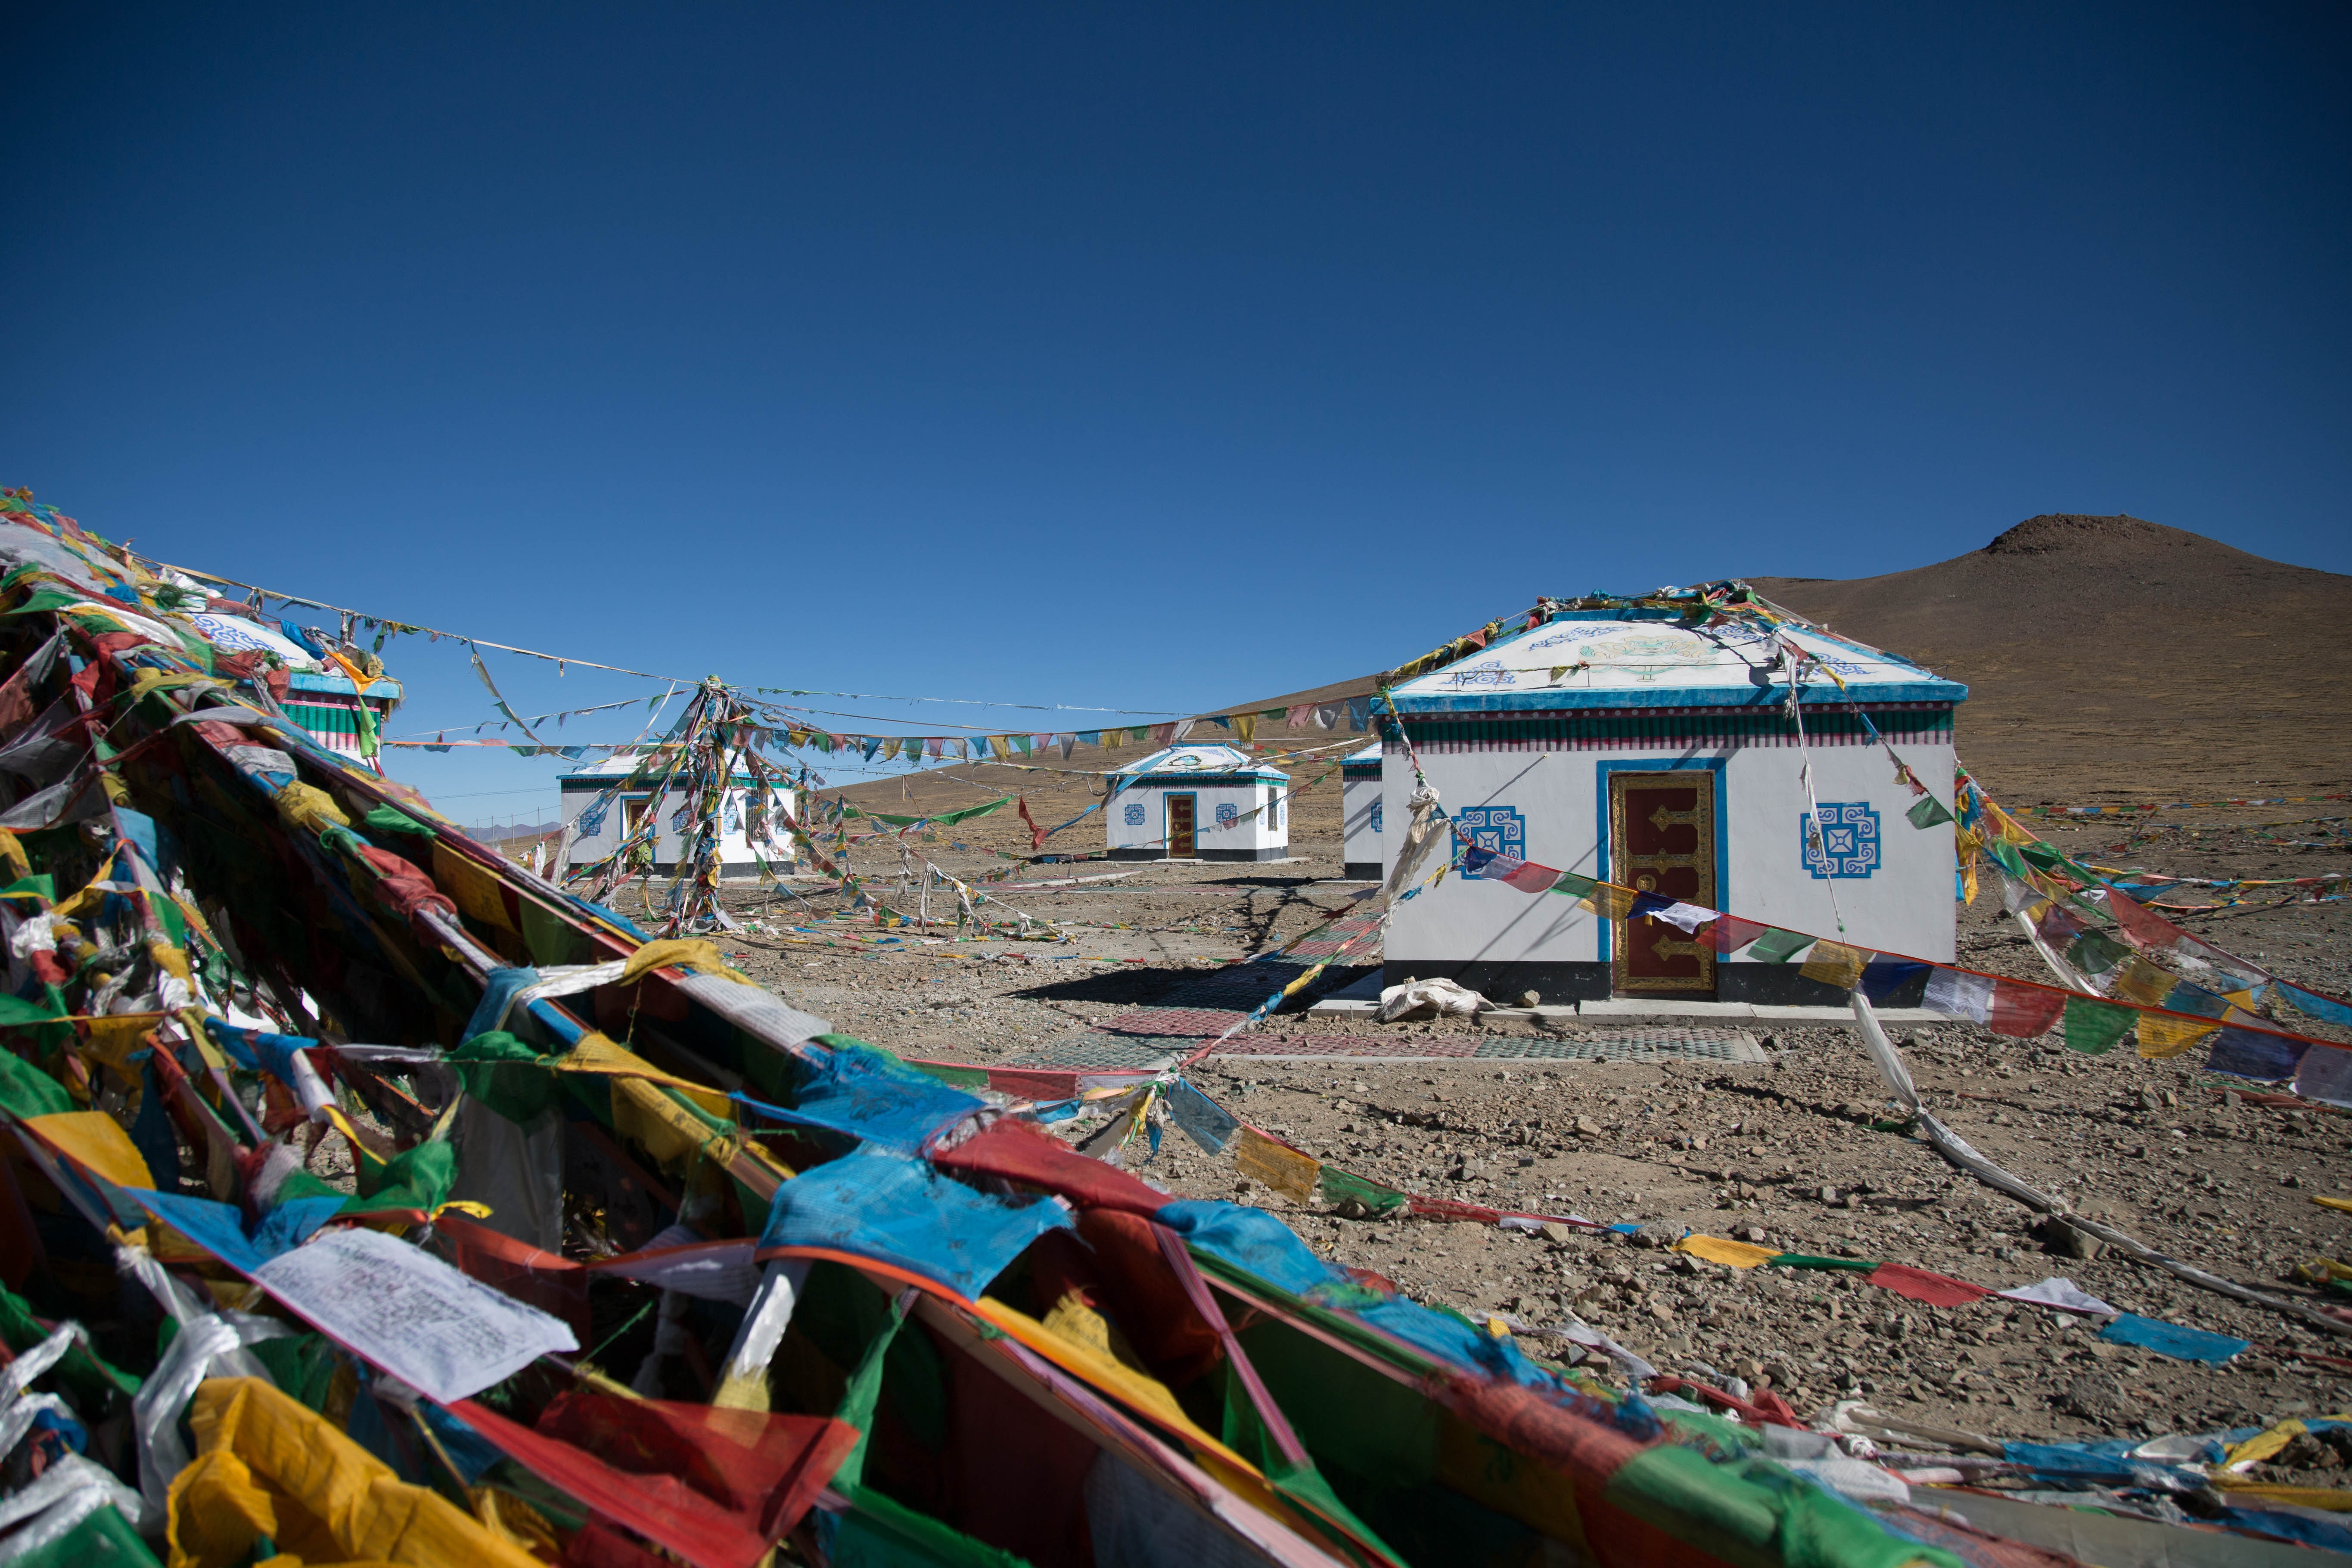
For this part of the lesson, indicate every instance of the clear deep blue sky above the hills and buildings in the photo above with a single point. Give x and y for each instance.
(1156, 359)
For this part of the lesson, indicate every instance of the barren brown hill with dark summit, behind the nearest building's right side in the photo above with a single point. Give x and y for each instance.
(2116, 659)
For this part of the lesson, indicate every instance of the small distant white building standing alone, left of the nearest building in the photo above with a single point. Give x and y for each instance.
(1198, 803)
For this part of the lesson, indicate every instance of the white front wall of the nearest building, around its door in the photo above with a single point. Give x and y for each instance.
(1904, 906)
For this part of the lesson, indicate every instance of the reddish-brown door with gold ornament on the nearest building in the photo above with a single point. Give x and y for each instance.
(1662, 840)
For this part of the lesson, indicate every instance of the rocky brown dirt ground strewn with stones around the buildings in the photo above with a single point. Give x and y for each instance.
(1782, 1153)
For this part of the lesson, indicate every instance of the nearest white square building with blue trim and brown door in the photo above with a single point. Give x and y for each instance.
(1636, 749)
